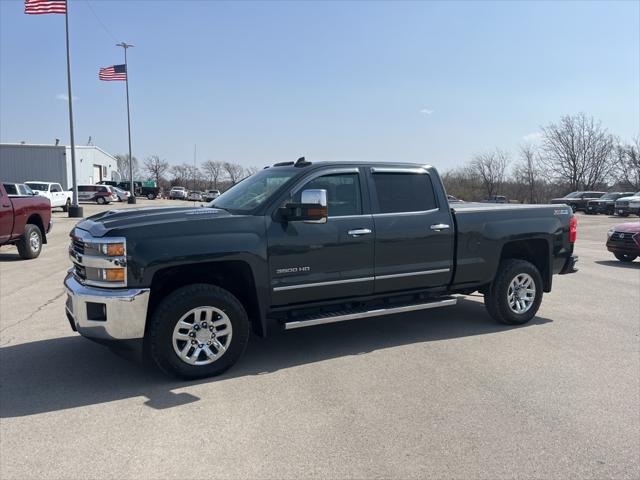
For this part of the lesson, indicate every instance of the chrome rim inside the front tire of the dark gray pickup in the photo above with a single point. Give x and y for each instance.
(202, 335)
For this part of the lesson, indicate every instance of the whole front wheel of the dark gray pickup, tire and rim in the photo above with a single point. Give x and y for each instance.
(198, 331)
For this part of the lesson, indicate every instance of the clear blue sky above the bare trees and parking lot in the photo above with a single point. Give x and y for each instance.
(263, 82)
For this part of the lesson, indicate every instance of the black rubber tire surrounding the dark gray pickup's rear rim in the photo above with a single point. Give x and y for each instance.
(496, 297)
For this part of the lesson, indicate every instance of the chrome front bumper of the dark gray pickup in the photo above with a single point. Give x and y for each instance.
(106, 314)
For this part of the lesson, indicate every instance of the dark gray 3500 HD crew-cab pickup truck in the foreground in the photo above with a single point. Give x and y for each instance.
(304, 244)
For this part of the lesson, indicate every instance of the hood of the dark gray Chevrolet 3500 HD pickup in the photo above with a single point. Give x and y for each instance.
(98, 225)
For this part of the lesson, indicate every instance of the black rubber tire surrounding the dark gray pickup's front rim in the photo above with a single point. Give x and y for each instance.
(167, 314)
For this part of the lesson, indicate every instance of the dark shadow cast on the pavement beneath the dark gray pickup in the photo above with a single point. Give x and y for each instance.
(69, 372)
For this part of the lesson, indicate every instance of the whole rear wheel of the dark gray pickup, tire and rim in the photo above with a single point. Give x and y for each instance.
(516, 293)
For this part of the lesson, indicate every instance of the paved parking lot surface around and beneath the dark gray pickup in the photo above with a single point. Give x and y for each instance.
(444, 394)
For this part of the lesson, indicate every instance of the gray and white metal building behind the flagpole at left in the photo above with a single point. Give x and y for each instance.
(52, 163)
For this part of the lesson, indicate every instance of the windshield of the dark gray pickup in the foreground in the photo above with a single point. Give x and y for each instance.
(253, 191)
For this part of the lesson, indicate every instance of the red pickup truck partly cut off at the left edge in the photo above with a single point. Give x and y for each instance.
(25, 221)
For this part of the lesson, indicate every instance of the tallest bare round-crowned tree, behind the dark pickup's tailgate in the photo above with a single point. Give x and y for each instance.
(578, 151)
